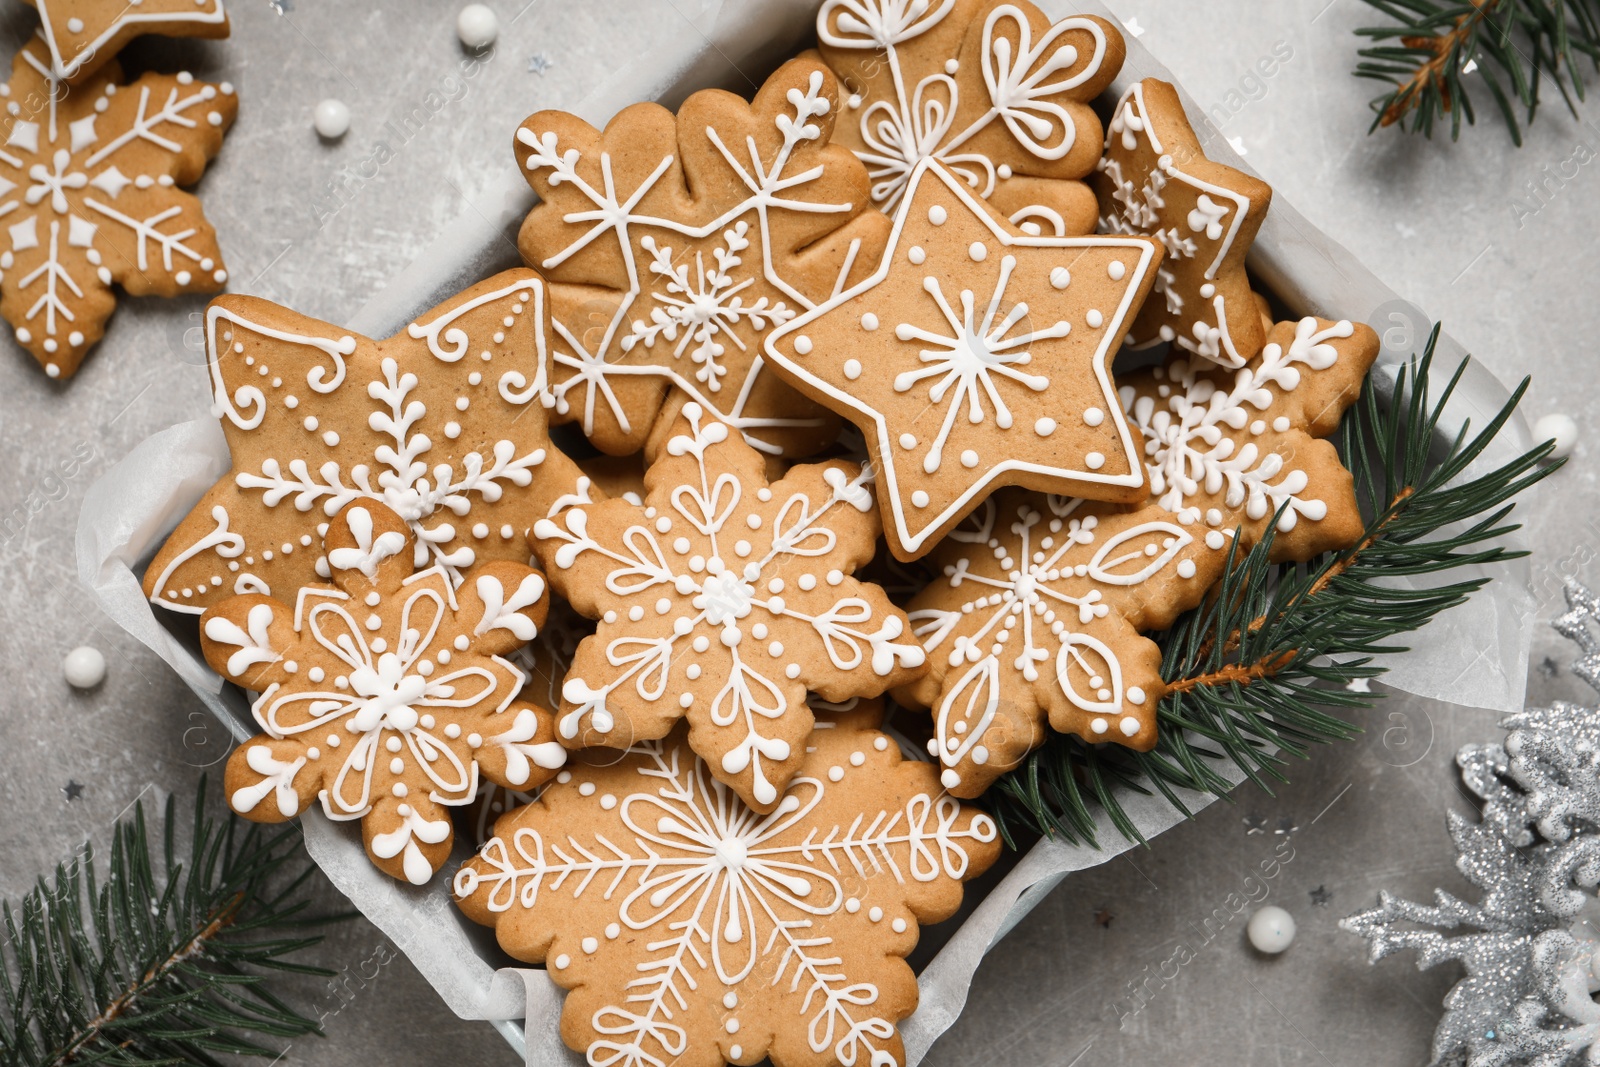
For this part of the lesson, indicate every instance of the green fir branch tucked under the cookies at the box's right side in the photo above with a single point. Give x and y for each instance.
(1258, 674)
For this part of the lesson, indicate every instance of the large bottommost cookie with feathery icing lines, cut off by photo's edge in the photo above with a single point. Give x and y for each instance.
(692, 930)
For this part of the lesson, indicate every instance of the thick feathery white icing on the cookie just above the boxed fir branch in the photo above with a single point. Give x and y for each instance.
(1193, 431)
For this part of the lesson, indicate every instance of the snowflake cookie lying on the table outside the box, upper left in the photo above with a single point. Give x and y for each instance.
(89, 198)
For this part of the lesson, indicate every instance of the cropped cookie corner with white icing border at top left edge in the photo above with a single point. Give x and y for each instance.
(82, 36)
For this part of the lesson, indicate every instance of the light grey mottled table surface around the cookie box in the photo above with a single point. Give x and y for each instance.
(1438, 222)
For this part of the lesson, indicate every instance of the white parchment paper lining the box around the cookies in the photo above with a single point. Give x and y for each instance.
(1476, 655)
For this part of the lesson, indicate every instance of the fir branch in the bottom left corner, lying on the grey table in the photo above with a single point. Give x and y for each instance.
(159, 965)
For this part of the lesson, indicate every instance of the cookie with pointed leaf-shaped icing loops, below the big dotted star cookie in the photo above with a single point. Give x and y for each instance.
(1039, 617)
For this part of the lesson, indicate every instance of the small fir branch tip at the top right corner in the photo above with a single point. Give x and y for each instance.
(1514, 46)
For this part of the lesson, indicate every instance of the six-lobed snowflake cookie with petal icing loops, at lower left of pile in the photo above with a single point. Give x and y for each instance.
(385, 693)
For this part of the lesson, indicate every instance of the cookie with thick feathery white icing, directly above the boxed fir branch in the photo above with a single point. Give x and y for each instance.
(1236, 447)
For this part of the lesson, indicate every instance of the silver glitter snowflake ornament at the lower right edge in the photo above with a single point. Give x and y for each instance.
(1532, 946)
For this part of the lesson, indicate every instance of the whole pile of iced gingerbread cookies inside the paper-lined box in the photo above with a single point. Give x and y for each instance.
(908, 380)
